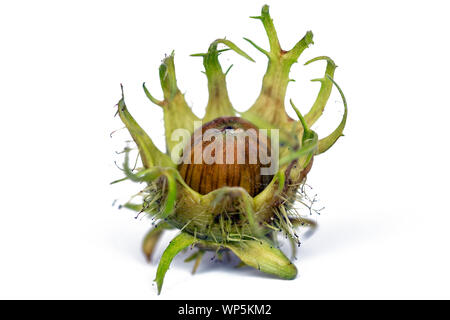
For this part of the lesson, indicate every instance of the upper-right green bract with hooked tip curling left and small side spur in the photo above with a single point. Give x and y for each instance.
(324, 93)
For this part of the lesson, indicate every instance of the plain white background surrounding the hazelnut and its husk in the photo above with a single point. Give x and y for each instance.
(385, 230)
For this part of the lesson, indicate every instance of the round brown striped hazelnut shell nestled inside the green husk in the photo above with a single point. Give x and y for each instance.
(241, 159)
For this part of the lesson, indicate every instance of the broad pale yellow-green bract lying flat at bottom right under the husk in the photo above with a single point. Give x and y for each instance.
(262, 255)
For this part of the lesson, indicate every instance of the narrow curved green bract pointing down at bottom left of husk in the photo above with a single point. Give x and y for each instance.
(180, 242)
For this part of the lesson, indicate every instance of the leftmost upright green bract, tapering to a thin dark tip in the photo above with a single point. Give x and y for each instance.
(150, 154)
